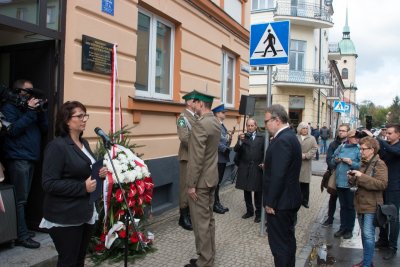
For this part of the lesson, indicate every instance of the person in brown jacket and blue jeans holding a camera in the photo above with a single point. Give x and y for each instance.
(370, 181)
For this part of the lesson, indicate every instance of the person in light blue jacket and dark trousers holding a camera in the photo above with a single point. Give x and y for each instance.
(346, 157)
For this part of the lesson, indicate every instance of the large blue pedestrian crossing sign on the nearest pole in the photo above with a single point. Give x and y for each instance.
(269, 43)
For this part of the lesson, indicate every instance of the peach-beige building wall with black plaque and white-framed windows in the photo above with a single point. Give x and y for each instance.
(199, 42)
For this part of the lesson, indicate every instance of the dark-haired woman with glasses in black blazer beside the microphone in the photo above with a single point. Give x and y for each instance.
(66, 179)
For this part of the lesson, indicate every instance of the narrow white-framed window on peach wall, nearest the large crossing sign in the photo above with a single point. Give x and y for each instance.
(228, 79)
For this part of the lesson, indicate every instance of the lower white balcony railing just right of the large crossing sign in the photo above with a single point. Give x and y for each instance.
(302, 77)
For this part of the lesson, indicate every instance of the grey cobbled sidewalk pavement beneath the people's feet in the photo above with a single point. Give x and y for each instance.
(238, 241)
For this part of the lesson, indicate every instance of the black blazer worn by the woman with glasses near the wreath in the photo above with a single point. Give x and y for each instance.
(65, 170)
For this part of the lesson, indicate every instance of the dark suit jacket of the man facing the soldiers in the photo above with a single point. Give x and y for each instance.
(281, 186)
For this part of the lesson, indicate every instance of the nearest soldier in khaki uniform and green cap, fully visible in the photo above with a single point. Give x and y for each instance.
(202, 179)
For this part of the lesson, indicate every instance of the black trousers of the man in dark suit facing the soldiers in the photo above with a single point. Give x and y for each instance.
(281, 237)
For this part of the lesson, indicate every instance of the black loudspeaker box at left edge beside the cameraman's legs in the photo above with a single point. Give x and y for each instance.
(8, 217)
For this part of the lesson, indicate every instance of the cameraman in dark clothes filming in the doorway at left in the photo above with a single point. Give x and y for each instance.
(20, 149)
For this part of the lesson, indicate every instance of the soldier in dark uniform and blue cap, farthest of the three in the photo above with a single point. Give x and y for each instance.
(223, 155)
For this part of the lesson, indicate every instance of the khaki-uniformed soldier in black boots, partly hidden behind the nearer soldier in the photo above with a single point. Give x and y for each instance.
(184, 127)
